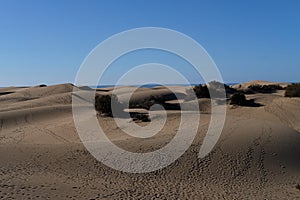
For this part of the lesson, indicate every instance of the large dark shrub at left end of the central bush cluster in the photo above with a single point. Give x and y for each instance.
(104, 103)
